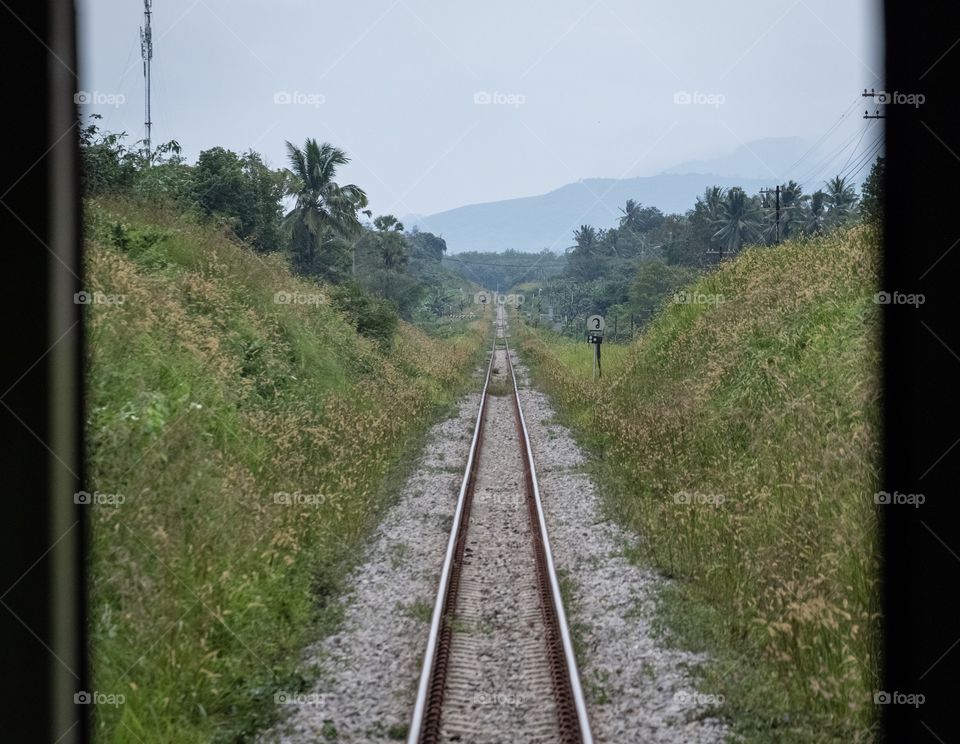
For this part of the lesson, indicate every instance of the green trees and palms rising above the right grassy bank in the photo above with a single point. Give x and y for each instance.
(628, 270)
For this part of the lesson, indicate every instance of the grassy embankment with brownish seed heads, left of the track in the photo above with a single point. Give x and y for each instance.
(250, 441)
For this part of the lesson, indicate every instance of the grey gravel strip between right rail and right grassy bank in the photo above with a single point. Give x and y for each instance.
(637, 689)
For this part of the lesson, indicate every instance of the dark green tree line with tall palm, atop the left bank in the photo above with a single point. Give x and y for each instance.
(380, 270)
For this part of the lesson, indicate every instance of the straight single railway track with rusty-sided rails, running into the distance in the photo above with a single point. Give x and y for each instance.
(499, 664)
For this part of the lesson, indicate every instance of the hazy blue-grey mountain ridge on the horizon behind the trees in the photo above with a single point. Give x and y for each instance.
(533, 223)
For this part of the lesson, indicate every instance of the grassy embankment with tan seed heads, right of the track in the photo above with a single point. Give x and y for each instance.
(740, 441)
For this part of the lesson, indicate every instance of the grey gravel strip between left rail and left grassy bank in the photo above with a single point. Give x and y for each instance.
(368, 670)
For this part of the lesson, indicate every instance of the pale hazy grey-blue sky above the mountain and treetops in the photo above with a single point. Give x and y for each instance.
(572, 89)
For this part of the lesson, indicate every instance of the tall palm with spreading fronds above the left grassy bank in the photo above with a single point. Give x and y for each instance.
(325, 210)
